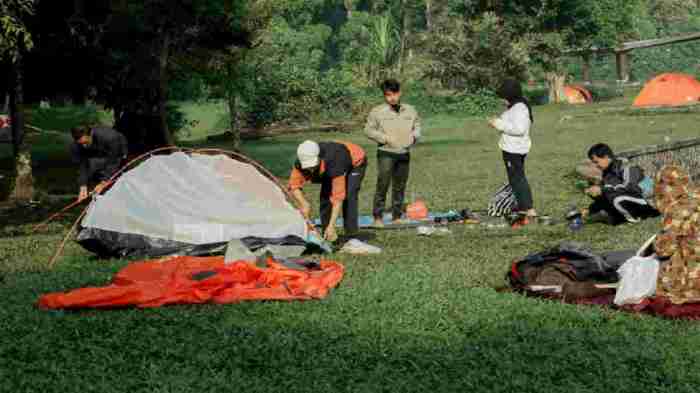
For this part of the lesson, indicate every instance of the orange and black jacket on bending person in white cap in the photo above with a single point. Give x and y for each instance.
(336, 160)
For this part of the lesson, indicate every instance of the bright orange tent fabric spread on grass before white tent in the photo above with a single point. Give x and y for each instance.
(156, 283)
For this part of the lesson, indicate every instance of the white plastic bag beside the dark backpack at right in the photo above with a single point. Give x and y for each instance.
(637, 280)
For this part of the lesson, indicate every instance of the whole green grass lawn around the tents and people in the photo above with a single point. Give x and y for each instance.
(422, 316)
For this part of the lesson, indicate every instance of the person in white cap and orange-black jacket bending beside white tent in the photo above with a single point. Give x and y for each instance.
(340, 168)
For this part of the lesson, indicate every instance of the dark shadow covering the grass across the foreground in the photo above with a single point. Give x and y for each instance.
(516, 345)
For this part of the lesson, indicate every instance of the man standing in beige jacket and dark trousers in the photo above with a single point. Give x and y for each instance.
(396, 127)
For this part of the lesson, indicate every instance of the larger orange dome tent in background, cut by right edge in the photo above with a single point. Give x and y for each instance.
(670, 89)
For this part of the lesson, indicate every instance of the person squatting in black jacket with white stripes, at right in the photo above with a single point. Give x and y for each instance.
(620, 197)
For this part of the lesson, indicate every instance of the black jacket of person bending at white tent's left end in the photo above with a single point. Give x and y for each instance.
(108, 145)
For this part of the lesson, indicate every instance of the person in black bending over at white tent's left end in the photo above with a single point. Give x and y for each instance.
(100, 152)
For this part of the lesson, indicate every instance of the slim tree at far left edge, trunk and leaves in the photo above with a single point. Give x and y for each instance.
(15, 41)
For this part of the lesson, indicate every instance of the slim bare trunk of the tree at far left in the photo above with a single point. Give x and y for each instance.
(22, 184)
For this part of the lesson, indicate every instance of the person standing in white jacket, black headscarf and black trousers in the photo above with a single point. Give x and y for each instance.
(514, 125)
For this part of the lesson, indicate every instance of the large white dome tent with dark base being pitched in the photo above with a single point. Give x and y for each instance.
(174, 202)
